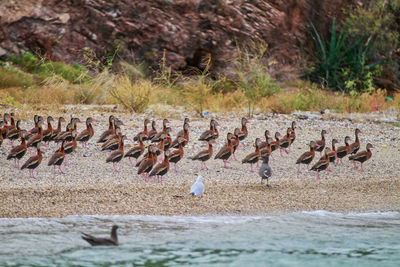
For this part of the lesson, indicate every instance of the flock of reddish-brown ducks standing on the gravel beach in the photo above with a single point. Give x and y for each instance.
(161, 145)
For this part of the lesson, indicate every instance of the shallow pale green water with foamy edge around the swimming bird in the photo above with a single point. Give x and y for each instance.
(297, 239)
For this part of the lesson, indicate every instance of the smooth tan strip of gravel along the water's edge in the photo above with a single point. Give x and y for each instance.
(286, 196)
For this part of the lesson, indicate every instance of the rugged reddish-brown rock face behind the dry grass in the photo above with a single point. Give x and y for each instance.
(185, 31)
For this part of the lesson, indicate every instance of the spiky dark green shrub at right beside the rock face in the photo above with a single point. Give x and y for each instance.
(340, 63)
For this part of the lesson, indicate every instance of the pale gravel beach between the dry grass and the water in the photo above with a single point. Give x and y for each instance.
(91, 187)
